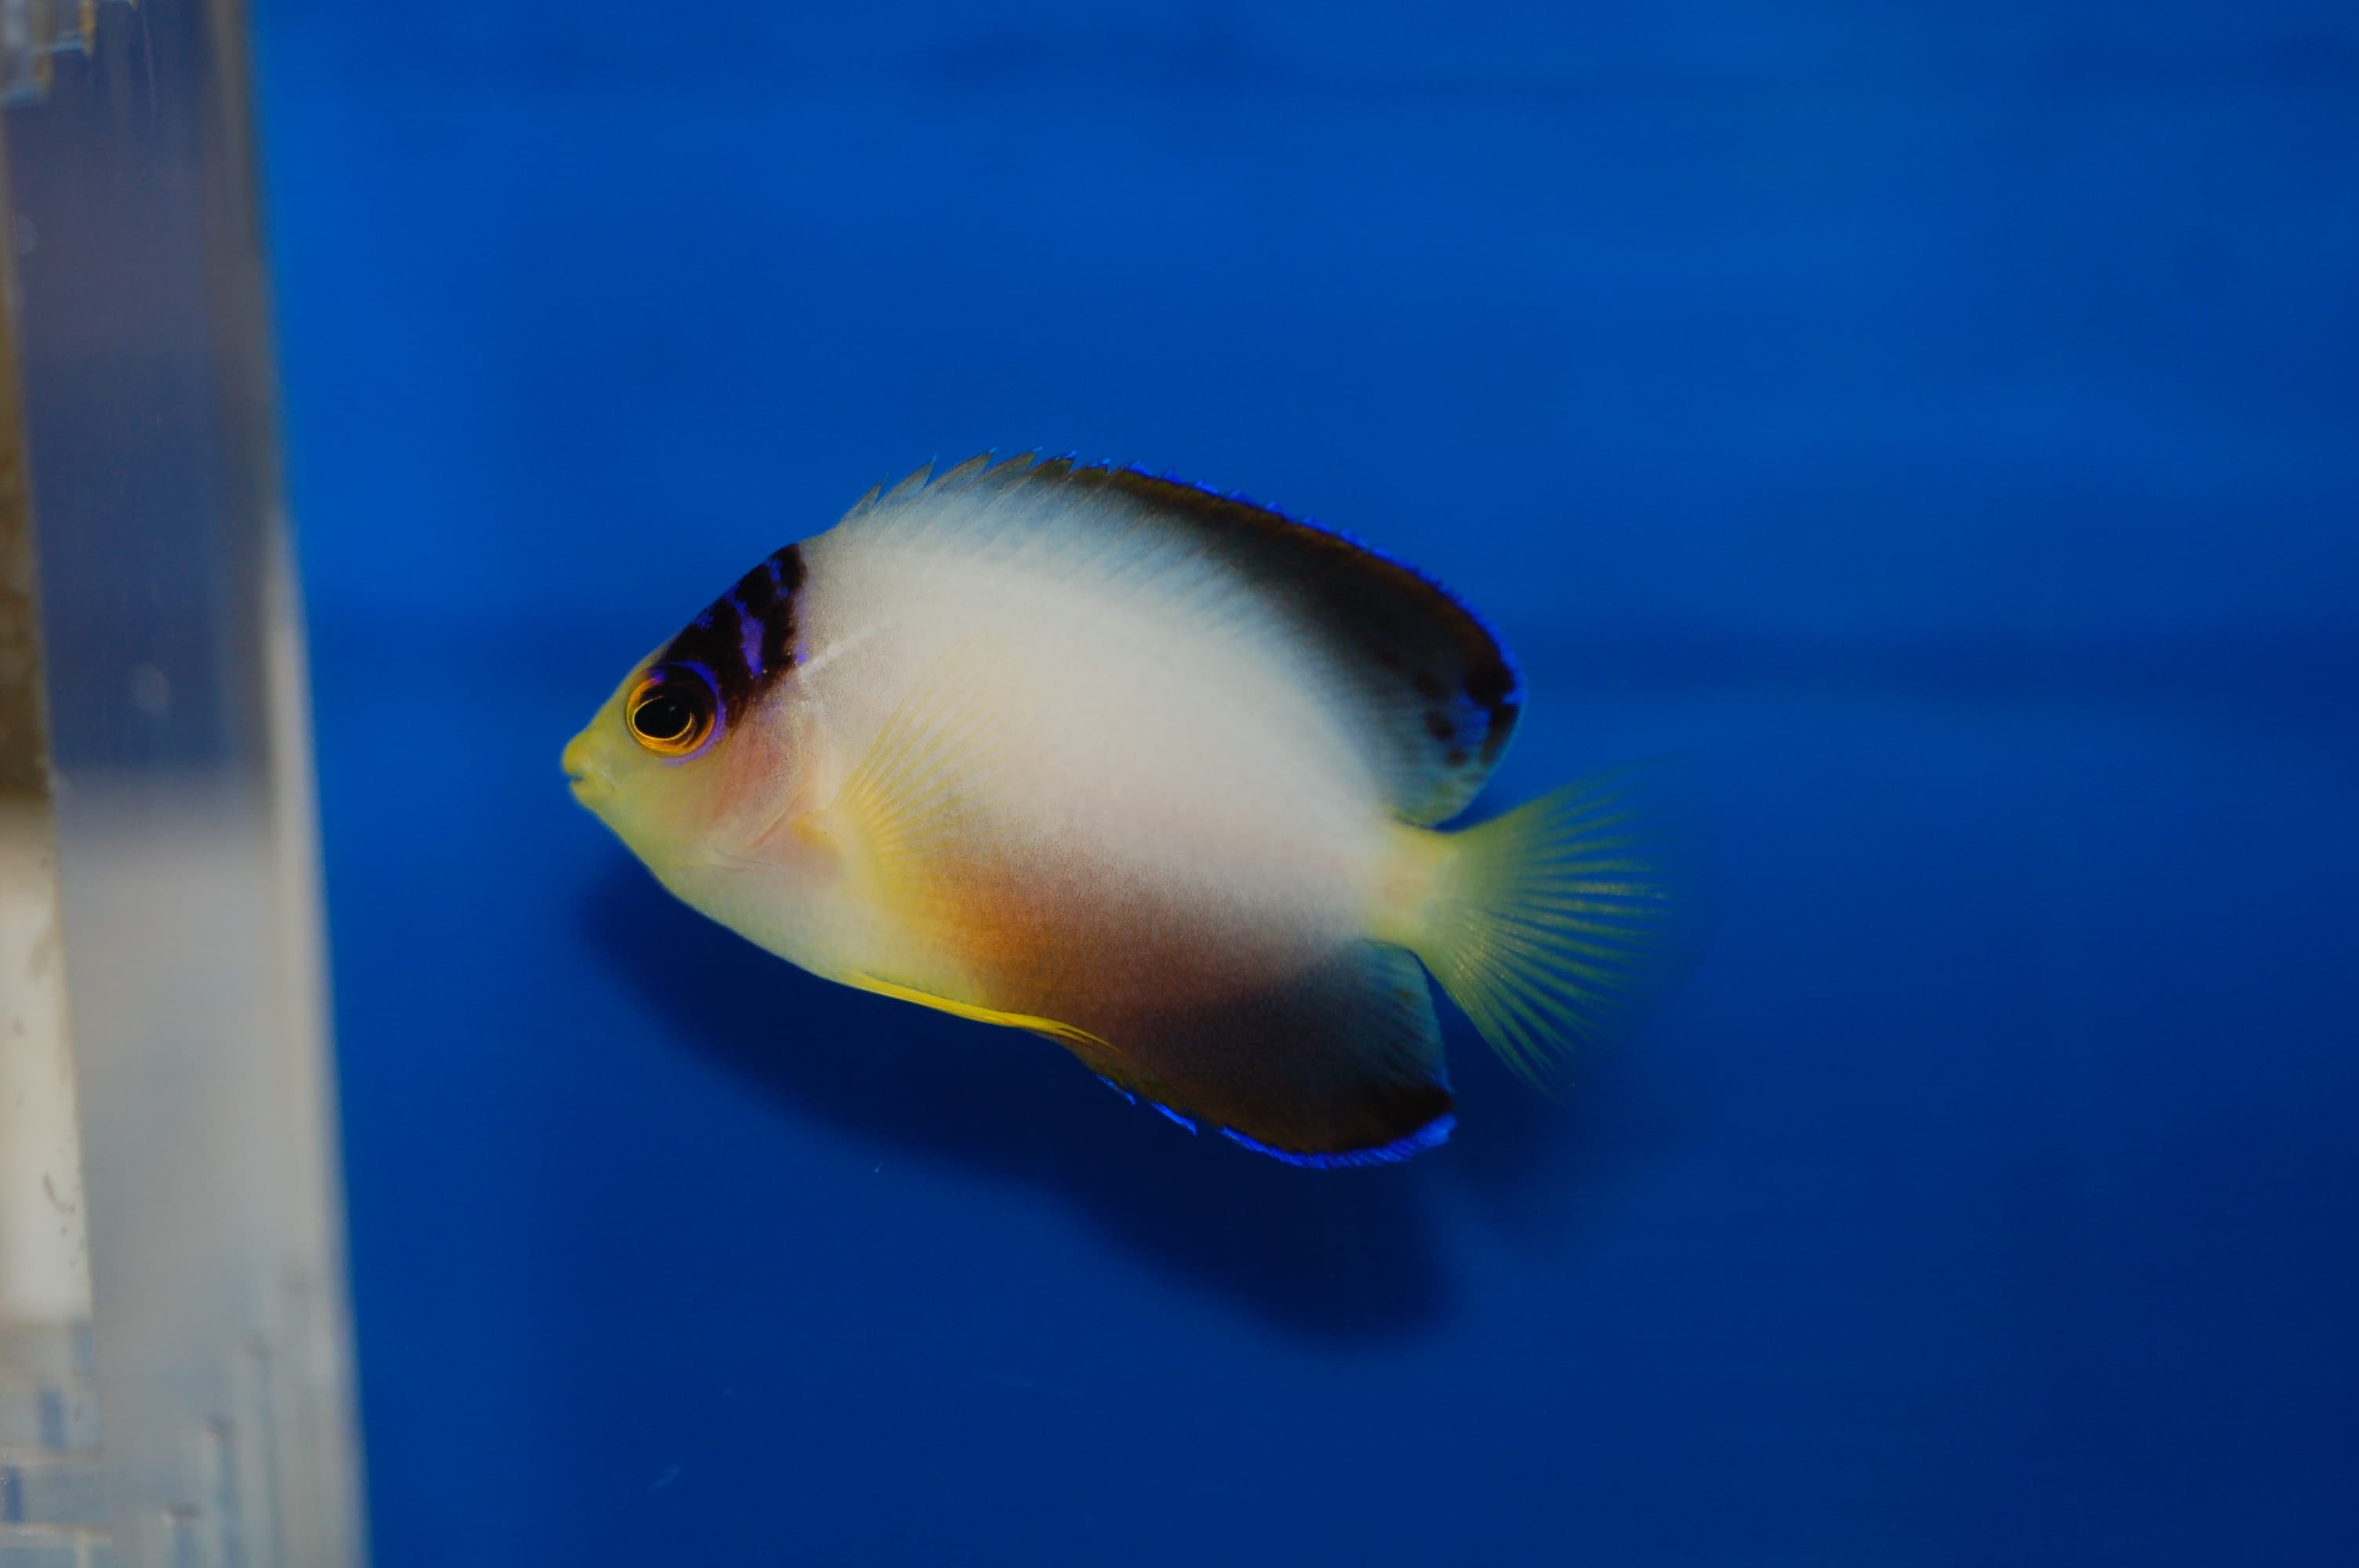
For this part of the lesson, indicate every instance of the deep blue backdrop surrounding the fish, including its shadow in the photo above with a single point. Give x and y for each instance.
(1940, 423)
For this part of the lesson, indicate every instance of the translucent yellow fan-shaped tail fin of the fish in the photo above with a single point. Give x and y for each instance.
(1551, 923)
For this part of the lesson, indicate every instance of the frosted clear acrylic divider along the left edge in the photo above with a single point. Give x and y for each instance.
(176, 1383)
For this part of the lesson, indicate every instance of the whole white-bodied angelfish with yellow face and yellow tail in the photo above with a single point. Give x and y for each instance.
(1145, 770)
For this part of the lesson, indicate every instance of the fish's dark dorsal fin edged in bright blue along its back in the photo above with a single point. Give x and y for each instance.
(1435, 694)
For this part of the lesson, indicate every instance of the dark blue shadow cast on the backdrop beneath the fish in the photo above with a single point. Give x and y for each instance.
(1329, 1253)
